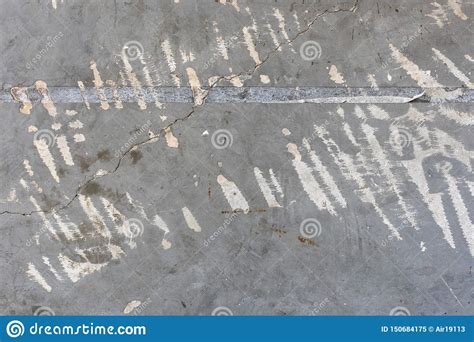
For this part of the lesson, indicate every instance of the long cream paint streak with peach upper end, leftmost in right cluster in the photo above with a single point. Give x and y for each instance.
(309, 183)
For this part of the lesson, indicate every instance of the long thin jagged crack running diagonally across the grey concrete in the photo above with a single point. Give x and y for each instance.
(249, 73)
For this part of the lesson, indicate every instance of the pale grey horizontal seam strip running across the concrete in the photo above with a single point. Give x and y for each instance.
(257, 94)
